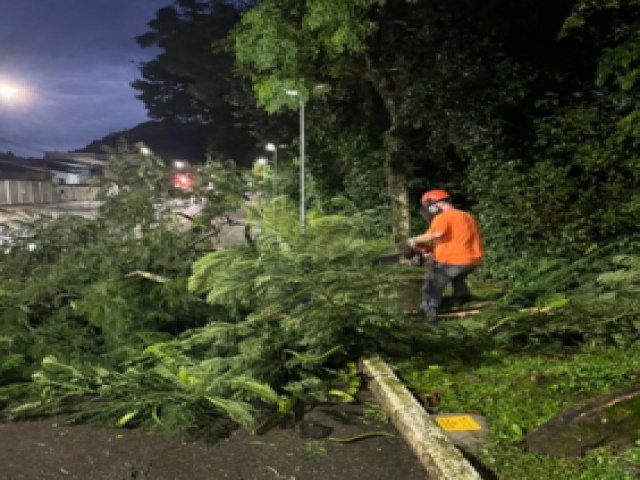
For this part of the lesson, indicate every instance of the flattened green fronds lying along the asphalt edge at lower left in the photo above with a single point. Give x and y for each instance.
(165, 393)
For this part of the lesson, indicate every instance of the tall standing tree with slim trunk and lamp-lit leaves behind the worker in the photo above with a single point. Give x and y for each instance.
(443, 73)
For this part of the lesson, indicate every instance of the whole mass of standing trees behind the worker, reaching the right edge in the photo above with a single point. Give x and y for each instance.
(525, 110)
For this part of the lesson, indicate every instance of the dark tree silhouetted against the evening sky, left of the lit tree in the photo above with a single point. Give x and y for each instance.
(191, 79)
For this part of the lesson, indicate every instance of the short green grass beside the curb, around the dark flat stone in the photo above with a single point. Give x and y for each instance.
(519, 392)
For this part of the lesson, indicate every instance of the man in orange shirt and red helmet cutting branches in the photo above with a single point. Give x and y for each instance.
(457, 250)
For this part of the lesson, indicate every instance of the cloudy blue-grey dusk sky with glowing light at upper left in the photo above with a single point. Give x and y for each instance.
(74, 61)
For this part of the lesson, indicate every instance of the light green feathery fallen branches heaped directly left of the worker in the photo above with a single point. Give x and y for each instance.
(304, 294)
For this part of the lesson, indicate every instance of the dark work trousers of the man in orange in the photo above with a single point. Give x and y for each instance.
(437, 278)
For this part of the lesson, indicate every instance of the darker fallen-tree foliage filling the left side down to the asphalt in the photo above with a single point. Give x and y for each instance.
(78, 310)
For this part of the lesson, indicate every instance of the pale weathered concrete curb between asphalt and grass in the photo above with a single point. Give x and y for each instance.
(440, 458)
